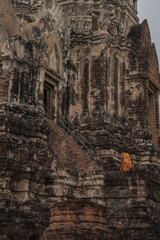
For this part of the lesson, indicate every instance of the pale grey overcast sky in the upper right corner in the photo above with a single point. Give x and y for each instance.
(150, 10)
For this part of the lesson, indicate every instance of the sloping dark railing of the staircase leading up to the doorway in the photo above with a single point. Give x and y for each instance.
(70, 130)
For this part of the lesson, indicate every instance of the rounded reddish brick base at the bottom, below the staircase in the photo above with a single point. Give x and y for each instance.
(77, 220)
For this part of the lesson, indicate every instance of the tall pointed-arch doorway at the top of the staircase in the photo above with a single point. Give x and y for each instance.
(53, 76)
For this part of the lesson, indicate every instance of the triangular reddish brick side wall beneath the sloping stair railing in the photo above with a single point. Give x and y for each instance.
(69, 154)
